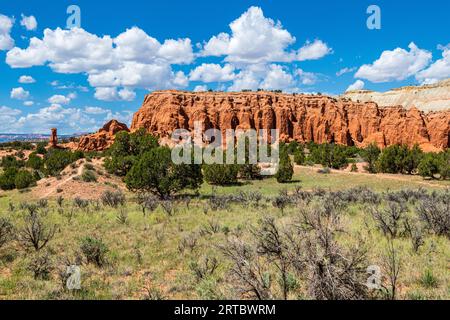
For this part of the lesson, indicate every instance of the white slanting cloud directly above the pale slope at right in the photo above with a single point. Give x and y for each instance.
(396, 65)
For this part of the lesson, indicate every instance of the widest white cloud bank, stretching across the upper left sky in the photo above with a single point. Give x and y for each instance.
(132, 59)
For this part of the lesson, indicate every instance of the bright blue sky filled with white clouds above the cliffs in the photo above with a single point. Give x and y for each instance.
(77, 79)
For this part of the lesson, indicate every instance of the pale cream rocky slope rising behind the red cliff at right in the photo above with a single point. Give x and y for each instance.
(434, 97)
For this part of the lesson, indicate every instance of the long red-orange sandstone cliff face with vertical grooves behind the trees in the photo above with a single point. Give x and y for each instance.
(298, 117)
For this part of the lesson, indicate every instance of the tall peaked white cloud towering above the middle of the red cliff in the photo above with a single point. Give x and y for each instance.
(257, 39)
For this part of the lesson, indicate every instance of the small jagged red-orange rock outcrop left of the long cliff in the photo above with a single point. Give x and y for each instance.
(103, 139)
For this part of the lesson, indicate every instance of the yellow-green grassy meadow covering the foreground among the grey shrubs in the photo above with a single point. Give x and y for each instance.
(176, 251)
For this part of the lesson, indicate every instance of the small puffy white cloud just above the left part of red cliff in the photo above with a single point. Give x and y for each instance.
(212, 73)
